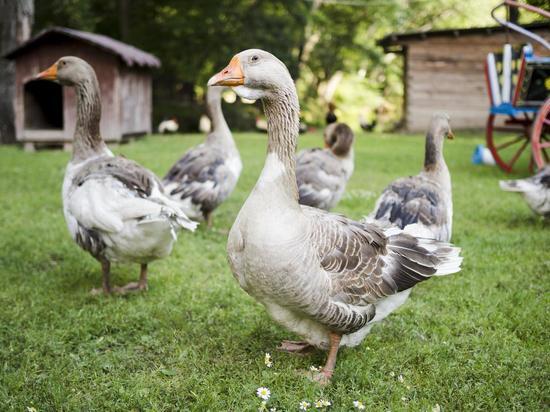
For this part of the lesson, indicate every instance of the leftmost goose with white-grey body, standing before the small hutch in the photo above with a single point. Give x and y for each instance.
(114, 208)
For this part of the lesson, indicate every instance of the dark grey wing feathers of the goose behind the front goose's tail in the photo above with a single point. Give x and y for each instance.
(410, 200)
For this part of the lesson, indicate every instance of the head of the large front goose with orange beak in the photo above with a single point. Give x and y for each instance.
(254, 74)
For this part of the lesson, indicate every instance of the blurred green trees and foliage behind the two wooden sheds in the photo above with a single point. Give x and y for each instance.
(319, 41)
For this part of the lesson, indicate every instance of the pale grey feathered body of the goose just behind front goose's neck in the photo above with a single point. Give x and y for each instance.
(321, 179)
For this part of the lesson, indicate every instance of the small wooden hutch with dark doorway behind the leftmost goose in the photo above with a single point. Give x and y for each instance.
(45, 112)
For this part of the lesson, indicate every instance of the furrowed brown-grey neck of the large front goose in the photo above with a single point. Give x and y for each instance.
(283, 119)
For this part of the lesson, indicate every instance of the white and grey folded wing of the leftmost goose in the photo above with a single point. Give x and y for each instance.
(108, 191)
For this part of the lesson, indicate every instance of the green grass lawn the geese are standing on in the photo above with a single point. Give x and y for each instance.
(477, 340)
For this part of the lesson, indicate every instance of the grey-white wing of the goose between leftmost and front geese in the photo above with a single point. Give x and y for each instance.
(202, 175)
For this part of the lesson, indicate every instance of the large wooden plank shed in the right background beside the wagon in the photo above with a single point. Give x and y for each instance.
(444, 70)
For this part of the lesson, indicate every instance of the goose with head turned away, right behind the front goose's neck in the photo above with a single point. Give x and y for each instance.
(323, 173)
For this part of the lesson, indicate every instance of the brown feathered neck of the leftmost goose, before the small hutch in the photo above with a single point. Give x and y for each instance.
(87, 137)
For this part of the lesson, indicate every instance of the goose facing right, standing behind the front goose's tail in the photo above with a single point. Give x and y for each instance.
(426, 198)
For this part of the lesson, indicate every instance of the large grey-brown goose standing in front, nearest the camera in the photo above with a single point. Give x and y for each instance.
(325, 277)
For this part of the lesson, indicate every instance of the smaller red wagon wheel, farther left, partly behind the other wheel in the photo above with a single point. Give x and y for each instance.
(508, 141)
